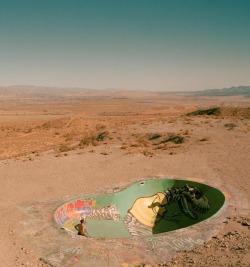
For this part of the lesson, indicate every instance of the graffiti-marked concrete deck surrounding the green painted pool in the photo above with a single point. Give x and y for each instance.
(64, 248)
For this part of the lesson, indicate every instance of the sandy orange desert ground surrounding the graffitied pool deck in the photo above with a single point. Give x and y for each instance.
(52, 149)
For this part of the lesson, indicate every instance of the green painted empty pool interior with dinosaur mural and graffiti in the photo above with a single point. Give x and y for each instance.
(143, 209)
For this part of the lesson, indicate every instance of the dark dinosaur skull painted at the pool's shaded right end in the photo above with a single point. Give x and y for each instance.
(195, 197)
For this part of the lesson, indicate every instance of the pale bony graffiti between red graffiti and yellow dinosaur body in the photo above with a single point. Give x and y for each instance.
(106, 213)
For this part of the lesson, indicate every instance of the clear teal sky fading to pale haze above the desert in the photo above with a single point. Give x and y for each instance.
(158, 45)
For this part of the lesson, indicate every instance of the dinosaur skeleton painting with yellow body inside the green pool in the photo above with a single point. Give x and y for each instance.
(146, 212)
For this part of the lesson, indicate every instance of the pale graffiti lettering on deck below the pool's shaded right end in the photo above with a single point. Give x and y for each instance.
(172, 243)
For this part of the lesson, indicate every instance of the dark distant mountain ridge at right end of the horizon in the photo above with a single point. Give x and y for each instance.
(239, 90)
